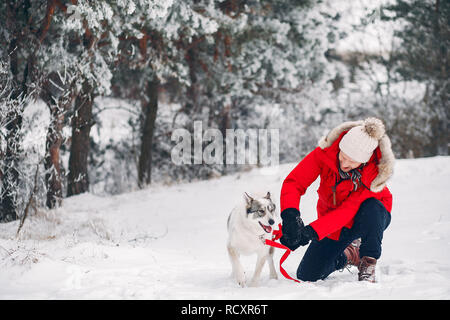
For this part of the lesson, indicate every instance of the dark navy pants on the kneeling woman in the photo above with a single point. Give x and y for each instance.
(326, 256)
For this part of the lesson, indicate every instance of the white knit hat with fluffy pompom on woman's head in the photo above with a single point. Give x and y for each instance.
(360, 141)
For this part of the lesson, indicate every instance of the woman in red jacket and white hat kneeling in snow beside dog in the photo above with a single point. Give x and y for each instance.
(354, 162)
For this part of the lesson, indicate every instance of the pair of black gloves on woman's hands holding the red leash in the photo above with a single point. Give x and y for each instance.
(295, 234)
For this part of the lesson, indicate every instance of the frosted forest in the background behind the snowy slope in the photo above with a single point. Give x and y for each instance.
(70, 67)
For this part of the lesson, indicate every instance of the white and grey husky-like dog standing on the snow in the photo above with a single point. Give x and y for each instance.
(249, 225)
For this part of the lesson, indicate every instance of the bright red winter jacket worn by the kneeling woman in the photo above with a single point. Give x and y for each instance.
(323, 161)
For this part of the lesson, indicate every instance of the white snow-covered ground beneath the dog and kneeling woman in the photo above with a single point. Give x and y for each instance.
(168, 242)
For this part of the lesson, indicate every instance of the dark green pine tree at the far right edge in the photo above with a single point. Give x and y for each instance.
(423, 56)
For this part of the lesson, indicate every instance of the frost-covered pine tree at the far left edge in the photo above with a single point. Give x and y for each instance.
(23, 26)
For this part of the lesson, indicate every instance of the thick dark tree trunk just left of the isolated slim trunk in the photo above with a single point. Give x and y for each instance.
(78, 179)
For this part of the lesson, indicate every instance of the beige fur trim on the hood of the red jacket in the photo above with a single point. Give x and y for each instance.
(386, 162)
